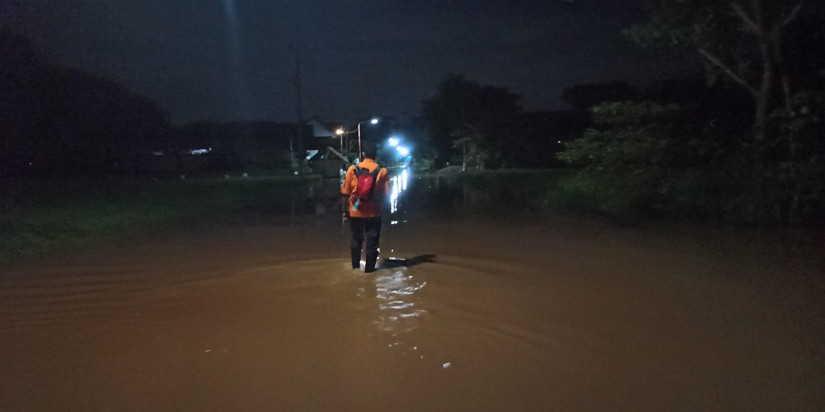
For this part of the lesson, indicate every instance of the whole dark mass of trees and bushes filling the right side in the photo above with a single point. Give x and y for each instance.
(763, 161)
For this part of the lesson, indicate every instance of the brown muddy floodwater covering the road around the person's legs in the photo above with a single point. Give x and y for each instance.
(475, 314)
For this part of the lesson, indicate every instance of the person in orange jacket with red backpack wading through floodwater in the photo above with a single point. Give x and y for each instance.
(366, 185)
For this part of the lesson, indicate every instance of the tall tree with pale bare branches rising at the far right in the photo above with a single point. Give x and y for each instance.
(756, 44)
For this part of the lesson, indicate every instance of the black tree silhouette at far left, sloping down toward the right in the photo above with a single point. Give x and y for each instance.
(59, 120)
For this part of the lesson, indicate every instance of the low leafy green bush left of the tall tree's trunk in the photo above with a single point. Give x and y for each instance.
(643, 159)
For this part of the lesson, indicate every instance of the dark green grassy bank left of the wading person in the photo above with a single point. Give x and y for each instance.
(51, 215)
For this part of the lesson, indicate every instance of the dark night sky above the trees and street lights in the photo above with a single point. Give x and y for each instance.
(226, 60)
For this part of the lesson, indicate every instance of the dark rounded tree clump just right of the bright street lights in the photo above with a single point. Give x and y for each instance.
(484, 127)
